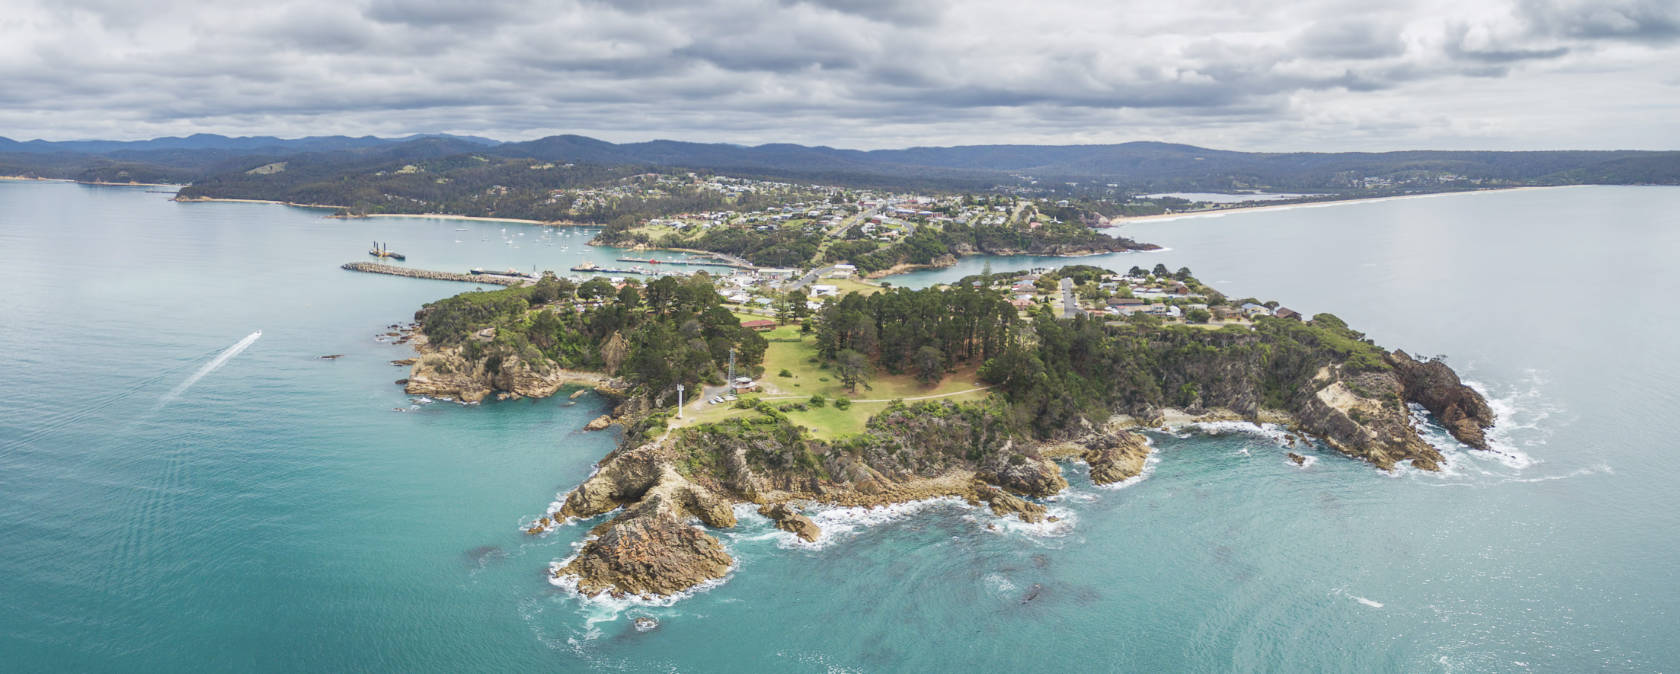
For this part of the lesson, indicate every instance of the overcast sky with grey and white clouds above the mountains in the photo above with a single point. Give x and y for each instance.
(1237, 75)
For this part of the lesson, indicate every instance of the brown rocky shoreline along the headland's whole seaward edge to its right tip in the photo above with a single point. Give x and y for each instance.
(651, 549)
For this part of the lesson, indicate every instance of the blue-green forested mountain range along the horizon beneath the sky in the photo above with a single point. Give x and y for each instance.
(1125, 166)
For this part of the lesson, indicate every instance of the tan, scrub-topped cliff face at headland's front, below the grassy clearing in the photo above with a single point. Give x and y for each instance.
(908, 455)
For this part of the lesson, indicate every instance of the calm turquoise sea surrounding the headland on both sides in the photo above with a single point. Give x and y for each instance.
(280, 515)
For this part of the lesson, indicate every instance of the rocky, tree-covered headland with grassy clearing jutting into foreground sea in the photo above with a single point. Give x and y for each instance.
(962, 392)
